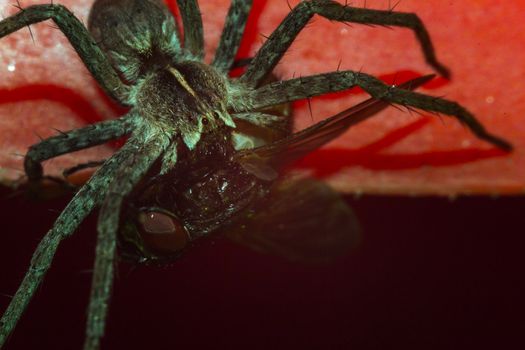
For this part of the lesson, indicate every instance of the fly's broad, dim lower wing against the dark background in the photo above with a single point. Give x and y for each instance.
(302, 220)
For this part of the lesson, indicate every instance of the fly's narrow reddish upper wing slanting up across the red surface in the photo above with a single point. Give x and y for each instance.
(289, 149)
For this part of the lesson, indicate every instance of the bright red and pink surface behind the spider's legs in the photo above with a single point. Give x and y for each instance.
(440, 157)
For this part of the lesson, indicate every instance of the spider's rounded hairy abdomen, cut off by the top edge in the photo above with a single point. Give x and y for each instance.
(135, 34)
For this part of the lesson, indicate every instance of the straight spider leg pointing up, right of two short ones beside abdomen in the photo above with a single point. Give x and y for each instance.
(231, 35)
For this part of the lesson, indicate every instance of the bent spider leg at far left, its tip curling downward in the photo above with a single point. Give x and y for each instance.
(74, 140)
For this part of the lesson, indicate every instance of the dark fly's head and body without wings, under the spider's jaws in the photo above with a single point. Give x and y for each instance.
(173, 212)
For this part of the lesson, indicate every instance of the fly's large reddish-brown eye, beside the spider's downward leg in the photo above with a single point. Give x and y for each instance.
(162, 232)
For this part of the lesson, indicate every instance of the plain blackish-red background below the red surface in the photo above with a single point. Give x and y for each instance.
(430, 273)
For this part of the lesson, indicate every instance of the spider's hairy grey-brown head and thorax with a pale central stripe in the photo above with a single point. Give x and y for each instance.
(187, 99)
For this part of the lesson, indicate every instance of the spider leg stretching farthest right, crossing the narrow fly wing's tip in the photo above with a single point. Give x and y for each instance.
(305, 87)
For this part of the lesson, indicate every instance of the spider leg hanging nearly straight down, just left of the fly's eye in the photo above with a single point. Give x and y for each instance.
(128, 174)
